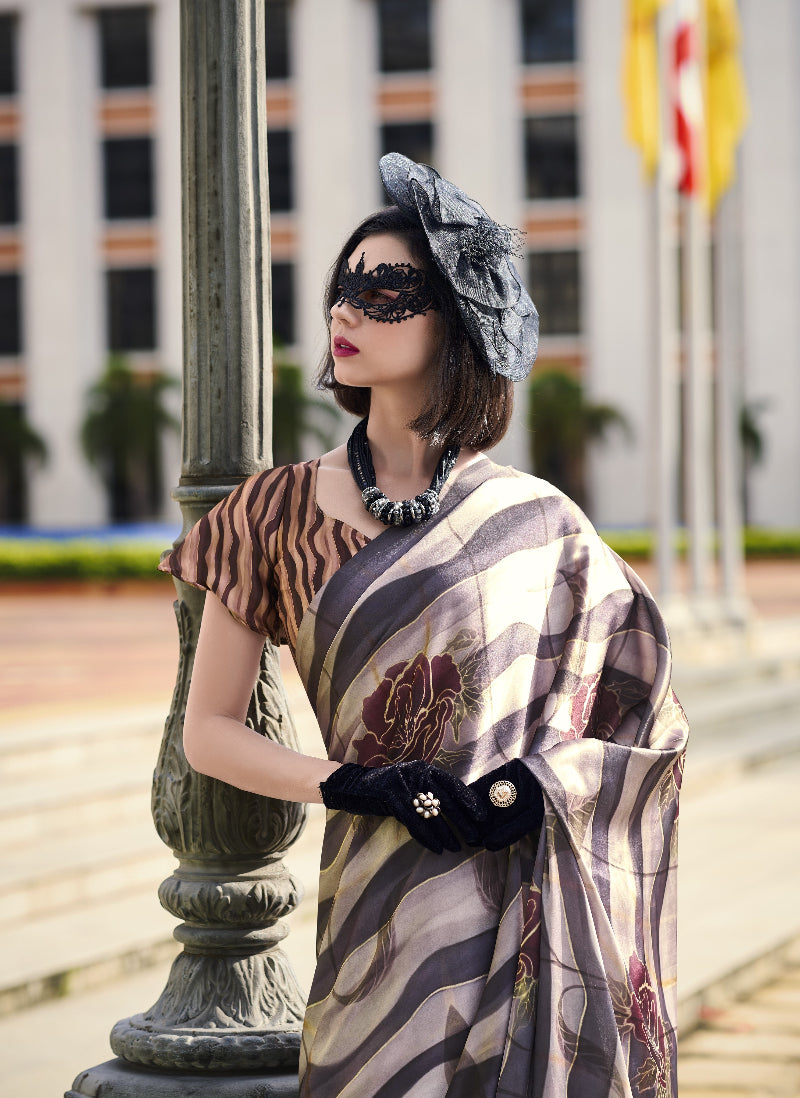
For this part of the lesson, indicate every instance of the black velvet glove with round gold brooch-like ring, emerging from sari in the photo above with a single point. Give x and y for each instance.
(523, 814)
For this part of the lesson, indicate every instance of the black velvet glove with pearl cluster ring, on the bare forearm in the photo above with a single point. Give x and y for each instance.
(401, 790)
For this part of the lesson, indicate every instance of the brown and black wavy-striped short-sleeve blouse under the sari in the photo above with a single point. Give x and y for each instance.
(266, 551)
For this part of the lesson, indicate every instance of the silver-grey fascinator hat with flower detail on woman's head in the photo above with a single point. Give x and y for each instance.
(474, 253)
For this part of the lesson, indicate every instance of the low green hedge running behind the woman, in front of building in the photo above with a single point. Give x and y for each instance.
(22, 559)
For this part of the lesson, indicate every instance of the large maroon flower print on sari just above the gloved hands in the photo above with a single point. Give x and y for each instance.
(407, 718)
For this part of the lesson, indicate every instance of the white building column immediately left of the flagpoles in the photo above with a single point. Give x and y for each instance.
(618, 274)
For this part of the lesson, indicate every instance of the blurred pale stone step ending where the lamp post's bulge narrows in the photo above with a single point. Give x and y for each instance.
(75, 871)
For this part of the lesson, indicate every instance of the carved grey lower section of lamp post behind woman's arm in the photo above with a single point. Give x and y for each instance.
(229, 1021)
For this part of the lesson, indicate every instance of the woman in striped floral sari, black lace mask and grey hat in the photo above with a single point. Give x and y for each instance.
(498, 889)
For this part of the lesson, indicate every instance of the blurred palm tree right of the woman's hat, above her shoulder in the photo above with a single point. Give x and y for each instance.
(562, 424)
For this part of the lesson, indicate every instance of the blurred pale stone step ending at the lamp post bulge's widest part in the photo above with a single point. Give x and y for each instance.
(75, 802)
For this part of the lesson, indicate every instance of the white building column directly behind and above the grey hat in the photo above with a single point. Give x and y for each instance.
(479, 132)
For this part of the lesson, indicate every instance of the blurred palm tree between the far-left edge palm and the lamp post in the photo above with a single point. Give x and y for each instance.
(121, 436)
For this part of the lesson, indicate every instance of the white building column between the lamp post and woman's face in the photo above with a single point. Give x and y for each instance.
(336, 142)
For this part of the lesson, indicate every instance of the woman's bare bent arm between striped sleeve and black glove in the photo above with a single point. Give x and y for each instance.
(216, 738)
